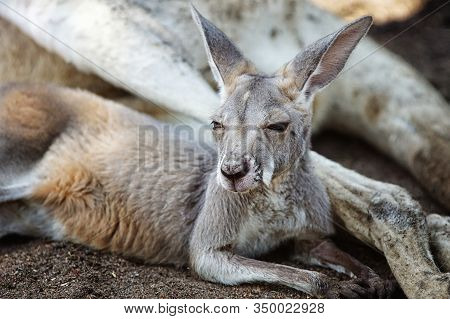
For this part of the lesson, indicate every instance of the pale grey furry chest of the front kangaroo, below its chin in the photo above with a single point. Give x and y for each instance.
(271, 220)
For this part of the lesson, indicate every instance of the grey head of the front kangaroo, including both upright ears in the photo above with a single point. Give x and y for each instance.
(264, 122)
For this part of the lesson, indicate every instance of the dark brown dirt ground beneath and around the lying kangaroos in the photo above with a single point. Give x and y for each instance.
(32, 268)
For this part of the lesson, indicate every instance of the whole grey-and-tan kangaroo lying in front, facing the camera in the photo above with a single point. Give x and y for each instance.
(71, 170)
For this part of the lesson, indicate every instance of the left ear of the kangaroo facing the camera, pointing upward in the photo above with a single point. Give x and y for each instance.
(225, 60)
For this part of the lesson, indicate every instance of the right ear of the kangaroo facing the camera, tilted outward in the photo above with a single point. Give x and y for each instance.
(320, 63)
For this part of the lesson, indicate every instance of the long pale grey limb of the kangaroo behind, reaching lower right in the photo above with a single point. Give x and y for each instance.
(385, 216)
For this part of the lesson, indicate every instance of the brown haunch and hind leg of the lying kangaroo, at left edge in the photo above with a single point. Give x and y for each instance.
(31, 120)
